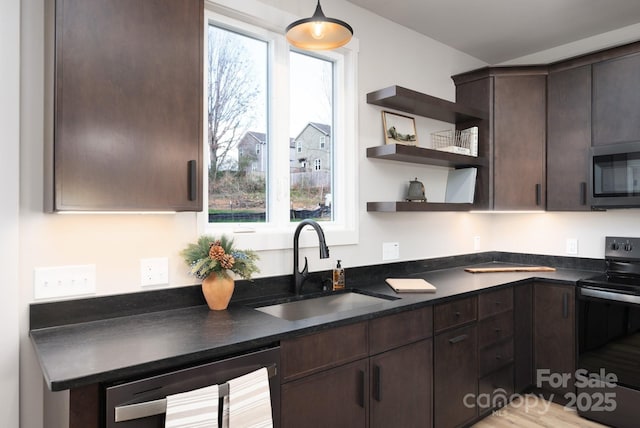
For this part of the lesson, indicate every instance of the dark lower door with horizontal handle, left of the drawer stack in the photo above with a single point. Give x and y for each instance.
(455, 376)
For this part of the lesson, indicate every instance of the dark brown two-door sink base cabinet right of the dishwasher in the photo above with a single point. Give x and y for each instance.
(372, 374)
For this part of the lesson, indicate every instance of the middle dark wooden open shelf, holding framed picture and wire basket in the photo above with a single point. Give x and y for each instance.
(420, 155)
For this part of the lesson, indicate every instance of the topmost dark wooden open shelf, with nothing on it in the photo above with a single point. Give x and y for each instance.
(408, 101)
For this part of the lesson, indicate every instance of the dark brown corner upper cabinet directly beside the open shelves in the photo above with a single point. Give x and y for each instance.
(516, 134)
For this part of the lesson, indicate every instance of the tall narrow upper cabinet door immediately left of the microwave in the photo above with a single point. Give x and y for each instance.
(568, 139)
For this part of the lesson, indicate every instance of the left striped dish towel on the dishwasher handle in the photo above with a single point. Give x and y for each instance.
(193, 409)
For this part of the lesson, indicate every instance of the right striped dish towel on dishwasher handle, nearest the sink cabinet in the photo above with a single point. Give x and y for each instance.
(248, 404)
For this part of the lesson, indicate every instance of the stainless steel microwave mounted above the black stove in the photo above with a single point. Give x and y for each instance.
(615, 176)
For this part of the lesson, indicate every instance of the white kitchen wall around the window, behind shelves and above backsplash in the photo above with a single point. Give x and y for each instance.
(389, 54)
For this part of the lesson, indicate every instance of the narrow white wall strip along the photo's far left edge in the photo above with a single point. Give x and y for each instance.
(9, 161)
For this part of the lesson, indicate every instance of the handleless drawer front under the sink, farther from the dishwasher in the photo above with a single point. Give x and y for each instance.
(400, 329)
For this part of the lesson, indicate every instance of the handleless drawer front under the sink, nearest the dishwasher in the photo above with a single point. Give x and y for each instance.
(304, 355)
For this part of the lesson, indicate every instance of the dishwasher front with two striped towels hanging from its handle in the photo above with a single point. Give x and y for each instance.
(142, 403)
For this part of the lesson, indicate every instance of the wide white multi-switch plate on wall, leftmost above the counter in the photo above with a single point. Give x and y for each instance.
(64, 281)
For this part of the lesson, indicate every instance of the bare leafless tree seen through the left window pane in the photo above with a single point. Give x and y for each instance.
(232, 92)
